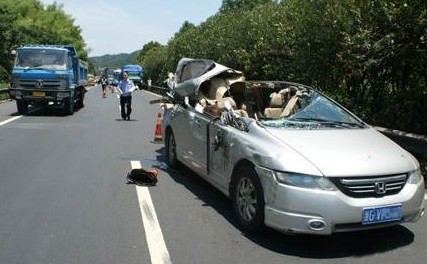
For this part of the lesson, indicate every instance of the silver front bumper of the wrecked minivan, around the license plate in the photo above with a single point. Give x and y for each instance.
(298, 210)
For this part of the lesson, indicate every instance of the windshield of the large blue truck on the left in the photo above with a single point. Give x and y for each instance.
(41, 59)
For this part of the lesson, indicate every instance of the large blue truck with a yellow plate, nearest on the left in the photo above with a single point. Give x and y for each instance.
(48, 75)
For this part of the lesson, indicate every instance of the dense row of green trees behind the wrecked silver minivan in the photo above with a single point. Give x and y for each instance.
(368, 54)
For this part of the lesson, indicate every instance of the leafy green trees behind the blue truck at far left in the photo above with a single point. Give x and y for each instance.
(29, 22)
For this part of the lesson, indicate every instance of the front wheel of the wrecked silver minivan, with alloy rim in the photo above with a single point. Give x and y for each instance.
(248, 199)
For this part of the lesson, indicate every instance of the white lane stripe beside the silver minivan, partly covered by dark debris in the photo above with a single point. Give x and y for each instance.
(156, 244)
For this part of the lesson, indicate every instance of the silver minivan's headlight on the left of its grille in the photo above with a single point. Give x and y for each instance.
(304, 181)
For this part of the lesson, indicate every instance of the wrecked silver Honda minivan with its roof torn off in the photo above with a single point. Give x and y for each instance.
(286, 155)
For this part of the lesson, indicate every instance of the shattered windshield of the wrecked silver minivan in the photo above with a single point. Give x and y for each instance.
(312, 110)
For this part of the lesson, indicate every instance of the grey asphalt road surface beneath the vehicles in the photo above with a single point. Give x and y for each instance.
(63, 199)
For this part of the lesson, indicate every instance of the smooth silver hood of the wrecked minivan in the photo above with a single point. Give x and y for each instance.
(348, 152)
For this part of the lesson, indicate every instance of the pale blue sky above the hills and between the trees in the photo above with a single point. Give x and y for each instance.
(124, 26)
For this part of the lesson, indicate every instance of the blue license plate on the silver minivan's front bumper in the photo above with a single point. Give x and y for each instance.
(374, 215)
